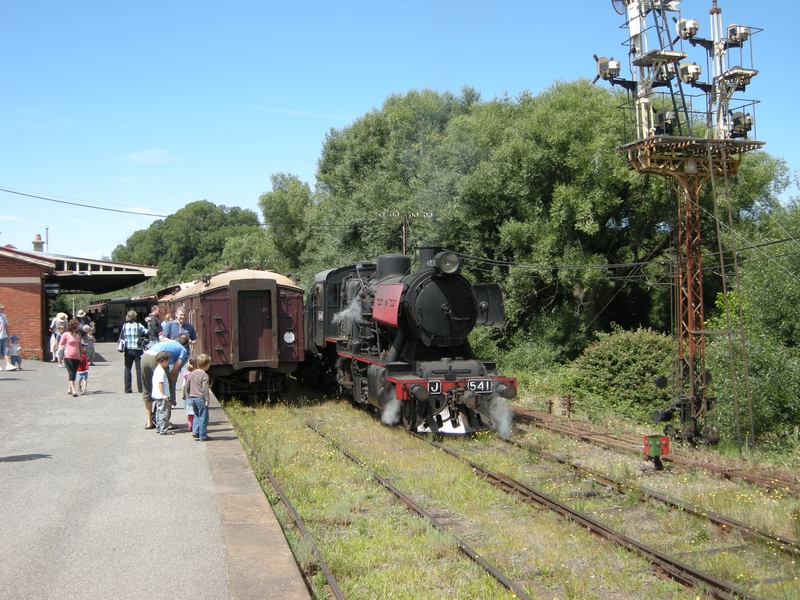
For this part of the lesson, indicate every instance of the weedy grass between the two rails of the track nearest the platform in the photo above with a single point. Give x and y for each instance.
(374, 546)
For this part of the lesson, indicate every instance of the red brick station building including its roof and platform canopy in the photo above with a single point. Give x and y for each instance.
(29, 279)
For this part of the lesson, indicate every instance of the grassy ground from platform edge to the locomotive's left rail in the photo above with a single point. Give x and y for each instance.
(376, 548)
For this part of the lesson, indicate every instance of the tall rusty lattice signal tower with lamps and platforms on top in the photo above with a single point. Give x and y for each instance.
(688, 132)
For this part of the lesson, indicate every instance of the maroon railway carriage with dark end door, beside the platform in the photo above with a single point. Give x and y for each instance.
(251, 325)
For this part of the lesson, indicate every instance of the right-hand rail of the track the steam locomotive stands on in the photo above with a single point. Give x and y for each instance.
(785, 544)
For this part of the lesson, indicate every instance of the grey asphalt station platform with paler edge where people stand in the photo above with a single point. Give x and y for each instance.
(92, 505)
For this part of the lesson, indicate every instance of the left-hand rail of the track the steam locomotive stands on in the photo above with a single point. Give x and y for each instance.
(681, 572)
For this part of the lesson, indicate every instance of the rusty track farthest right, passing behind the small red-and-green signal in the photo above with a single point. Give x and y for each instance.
(596, 434)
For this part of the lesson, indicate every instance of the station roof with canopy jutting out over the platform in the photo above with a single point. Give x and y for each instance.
(76, 275)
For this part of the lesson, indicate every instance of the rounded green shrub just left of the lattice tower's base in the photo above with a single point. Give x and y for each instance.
(617, 374)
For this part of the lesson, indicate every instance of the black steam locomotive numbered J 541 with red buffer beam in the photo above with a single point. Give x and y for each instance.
(397, 340)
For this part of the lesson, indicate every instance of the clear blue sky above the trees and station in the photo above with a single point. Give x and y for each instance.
(149, 105)
